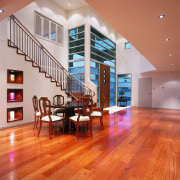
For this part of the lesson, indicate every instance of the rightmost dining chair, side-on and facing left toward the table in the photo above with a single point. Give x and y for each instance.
(98, 112)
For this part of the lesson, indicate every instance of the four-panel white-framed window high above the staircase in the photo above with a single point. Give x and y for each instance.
(48, 29)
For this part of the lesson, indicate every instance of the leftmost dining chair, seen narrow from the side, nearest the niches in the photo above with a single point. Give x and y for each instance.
(37, 113)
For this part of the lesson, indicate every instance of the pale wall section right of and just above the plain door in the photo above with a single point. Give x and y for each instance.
(165, 89)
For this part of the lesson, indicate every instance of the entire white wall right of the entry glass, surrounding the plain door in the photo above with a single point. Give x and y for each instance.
(165, 85)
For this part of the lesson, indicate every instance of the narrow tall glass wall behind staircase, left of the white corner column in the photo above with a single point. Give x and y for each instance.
(76, 52)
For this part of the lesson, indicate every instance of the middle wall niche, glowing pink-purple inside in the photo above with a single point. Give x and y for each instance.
(14, 95)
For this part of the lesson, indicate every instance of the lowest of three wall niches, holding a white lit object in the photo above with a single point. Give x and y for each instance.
(14, 114)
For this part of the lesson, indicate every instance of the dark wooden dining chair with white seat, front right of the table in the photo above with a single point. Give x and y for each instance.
(83, 114)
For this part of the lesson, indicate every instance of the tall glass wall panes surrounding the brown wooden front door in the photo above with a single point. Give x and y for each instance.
(103, 51)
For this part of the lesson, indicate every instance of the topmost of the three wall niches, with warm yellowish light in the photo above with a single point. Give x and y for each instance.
(14, 76)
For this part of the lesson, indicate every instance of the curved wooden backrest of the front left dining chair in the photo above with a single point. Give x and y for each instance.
(44, 105)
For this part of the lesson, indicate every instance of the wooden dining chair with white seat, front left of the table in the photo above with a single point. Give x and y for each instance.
(46, 117)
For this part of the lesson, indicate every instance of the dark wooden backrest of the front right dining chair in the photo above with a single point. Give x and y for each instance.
(85, 105)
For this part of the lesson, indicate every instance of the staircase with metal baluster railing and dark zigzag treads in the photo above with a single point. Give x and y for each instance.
(27, 45)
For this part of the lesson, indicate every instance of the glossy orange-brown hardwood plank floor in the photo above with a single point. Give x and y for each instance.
(136, 144)
